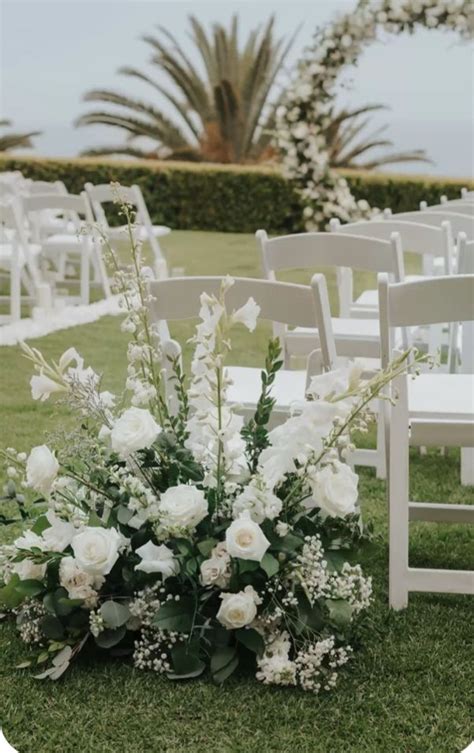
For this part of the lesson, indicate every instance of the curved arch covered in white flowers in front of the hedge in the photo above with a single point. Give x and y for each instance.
(304, 115)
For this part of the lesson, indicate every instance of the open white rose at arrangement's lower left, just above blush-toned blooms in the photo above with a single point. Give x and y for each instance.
(97, 549)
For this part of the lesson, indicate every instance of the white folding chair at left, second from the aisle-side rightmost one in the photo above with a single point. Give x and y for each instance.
(82, 246)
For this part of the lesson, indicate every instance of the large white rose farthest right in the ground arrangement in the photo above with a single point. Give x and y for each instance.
(334, 489)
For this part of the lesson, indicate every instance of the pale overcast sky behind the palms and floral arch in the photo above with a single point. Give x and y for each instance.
(52, 52)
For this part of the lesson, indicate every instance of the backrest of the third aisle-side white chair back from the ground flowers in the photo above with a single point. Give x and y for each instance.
(417, 238)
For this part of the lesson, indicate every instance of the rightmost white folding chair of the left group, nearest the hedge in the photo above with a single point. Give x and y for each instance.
(147, 232)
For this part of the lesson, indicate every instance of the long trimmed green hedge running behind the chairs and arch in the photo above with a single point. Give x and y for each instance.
(233, 198)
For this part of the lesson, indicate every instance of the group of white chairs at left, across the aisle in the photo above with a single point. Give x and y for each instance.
(45, 228)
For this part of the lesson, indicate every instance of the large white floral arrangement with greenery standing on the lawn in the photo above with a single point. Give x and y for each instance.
(189, 539)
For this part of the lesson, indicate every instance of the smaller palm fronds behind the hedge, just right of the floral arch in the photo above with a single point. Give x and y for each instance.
(347, 142)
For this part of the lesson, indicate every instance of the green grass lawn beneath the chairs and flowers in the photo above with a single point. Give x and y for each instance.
(408, 689)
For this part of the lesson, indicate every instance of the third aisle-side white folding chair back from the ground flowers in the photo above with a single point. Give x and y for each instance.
(434, 244)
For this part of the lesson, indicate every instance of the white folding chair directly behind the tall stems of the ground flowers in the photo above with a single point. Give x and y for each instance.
(286, 303)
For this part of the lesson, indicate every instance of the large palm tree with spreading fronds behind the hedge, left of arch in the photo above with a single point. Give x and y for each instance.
(224, 116)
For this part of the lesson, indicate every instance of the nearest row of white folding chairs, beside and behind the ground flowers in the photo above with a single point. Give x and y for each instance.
(433, 300)
